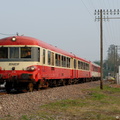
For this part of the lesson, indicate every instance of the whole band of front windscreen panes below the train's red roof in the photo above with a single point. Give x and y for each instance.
(19, 53)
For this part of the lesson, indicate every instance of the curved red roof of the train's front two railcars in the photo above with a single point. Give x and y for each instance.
(24, 40)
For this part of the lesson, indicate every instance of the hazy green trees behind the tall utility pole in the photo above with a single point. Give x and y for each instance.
(111, 63)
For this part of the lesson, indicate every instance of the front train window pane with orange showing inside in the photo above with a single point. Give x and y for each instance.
(26, 52)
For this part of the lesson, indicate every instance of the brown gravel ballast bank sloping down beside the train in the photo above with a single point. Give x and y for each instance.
(19, 104)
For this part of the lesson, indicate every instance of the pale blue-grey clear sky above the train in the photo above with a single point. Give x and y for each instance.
(67, 24)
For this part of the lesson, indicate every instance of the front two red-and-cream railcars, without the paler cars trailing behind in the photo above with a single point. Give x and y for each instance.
(28, 62)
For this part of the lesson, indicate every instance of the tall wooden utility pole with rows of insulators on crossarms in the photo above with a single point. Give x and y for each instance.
(100, 17)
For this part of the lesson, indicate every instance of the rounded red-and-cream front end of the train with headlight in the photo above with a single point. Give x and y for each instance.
(19, 59)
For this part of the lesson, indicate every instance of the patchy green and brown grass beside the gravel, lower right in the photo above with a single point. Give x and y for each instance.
(96, 105)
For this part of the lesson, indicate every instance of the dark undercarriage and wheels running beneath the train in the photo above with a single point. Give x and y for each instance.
(31, 85)
